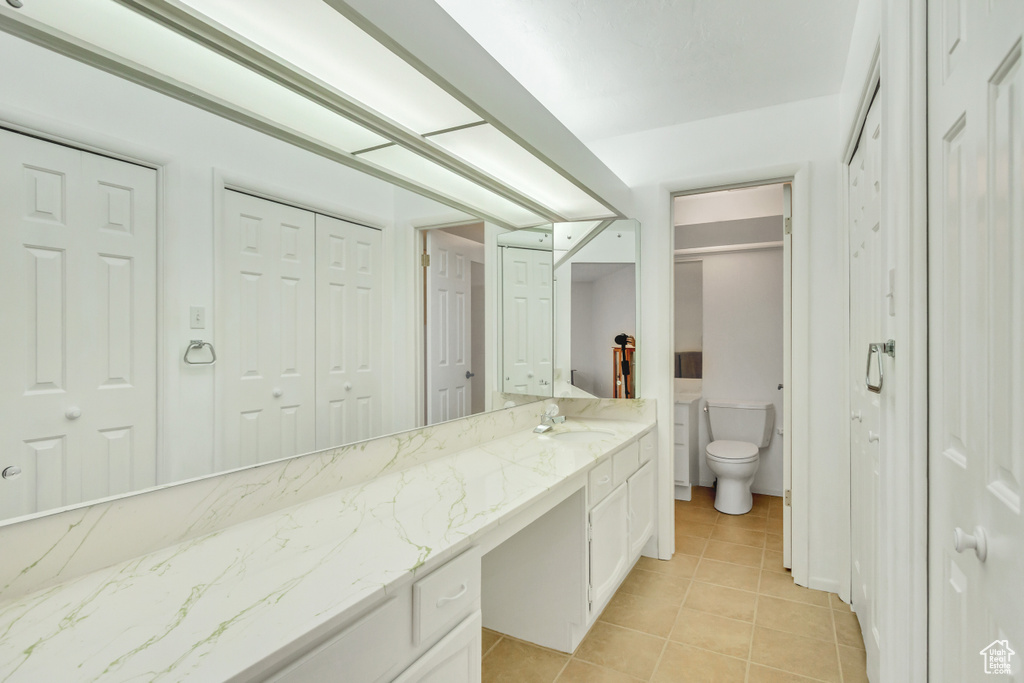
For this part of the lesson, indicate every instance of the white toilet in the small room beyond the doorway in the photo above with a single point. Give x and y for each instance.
(737, 432)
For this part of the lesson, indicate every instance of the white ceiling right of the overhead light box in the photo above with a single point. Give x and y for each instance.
(607, 68)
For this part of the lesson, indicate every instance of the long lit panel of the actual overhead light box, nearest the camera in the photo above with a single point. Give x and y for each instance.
(315, 38)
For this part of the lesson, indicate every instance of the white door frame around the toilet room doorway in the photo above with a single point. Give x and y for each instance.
(796, 400)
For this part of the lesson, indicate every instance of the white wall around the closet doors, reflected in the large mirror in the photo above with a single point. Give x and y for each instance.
(58, 97)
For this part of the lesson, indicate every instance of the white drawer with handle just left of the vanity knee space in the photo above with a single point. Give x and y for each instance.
(446, 595)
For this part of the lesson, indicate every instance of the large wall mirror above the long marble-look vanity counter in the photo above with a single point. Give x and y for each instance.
(186, 293)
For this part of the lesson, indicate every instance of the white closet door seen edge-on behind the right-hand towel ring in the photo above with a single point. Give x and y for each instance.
(868, 313)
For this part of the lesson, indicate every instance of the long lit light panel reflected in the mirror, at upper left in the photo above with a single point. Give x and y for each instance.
(115, 29)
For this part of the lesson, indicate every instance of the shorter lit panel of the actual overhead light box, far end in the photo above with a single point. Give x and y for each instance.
(499, 156)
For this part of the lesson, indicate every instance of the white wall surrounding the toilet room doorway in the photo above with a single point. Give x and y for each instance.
(754, 146)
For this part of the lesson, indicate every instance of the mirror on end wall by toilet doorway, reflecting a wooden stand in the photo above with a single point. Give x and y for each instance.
(596, 310)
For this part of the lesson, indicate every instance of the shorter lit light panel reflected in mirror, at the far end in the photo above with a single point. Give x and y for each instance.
(410, 165)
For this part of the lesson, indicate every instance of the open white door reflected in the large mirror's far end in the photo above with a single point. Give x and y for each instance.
(455, 323)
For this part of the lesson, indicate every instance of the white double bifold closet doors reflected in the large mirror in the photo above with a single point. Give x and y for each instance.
(300, 333)
